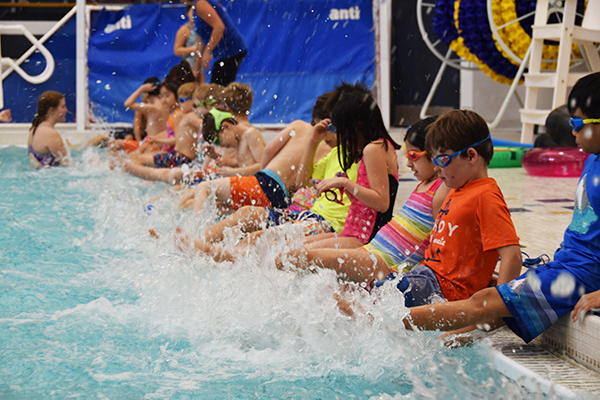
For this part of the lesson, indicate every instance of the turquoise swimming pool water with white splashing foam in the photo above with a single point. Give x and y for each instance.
(92, 306)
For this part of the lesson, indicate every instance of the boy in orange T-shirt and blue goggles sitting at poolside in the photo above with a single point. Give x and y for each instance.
(473, 227)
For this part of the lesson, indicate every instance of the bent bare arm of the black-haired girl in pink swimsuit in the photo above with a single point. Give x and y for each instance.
(378, 196)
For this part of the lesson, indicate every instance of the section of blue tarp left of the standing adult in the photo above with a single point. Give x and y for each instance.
(125, 48)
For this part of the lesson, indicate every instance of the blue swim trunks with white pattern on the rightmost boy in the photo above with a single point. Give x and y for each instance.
(535, 304)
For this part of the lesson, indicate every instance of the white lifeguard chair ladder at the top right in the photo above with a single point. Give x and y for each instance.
(566, 33)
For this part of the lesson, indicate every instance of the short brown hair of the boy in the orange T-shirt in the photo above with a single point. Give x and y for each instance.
(459, 129)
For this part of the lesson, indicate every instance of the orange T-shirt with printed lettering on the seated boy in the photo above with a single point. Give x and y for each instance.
(473, 222)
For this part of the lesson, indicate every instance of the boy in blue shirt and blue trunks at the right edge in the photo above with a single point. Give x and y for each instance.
(537, 299)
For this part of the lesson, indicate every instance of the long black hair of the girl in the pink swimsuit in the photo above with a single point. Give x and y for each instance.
(358, 122)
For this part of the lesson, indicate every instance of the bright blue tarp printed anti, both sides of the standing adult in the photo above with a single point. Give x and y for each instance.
(297, 50)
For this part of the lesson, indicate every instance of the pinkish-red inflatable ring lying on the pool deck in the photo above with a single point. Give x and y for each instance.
(554, 161)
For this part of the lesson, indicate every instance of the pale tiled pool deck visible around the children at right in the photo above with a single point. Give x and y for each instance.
(541, 210)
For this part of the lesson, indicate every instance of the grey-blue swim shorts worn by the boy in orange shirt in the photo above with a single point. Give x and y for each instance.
(419, 285)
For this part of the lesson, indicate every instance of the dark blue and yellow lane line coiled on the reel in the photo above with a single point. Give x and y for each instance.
(464, 26)
